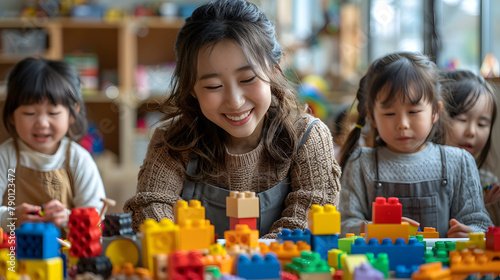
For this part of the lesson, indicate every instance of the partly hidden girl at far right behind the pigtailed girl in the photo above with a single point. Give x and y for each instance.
(470, 101)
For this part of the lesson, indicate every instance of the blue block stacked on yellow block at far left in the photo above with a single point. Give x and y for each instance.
(37, 241)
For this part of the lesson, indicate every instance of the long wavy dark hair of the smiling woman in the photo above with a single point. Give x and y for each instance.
(188, 130)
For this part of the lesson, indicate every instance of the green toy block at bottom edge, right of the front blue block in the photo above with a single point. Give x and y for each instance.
(309, 266)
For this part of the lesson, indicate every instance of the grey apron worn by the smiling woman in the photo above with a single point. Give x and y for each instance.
(271, 201)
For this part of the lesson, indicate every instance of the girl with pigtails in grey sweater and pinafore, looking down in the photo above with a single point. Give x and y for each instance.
(438, 186)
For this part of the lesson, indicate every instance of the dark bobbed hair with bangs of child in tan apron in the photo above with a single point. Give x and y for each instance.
(34, 80)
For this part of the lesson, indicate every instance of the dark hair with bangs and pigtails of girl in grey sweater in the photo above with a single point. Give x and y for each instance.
(403, 75)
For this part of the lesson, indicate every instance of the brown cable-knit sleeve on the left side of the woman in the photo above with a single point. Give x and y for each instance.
(159, 185)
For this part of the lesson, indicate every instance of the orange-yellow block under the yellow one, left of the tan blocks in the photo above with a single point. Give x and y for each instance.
(195, 234)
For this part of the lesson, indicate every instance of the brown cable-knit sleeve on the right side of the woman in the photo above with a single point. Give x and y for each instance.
(315, 178)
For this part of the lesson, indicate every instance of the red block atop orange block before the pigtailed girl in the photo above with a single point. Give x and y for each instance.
(387, 211)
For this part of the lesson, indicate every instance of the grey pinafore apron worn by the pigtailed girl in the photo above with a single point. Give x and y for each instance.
(426, 202)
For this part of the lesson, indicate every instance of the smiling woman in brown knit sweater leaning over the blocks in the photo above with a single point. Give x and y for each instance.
(233, 124)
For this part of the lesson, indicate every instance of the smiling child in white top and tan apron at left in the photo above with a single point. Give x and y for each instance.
(41, 165)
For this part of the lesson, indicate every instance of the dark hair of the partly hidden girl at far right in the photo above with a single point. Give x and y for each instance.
(462, 90)
